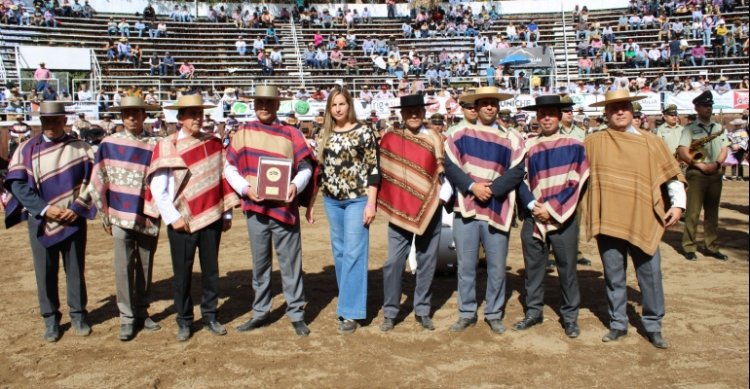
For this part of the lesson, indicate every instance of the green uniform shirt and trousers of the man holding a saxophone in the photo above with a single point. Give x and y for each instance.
(704, 191)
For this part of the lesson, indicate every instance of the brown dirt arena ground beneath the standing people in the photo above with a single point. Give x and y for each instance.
(706, 325)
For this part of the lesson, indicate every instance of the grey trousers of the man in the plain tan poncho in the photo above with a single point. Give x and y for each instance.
(614, 253)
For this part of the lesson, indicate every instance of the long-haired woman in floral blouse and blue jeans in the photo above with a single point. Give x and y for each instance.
(348, 152)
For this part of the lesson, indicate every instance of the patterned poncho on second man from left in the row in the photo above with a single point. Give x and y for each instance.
(119, 180)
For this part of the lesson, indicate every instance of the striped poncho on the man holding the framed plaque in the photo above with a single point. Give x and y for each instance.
(255, 140)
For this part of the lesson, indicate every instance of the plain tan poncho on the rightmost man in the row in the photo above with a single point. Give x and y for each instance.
(626, 198)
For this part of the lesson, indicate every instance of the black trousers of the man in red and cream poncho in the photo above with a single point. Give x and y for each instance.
(182, 246)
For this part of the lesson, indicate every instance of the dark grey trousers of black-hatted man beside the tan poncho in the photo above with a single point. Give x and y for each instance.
(535, 255)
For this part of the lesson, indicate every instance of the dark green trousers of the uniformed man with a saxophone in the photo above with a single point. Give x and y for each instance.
(704, 192)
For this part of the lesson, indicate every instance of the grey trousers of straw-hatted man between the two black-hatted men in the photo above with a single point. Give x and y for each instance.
(468, 233)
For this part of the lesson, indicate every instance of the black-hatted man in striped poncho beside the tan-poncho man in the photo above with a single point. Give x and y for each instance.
(556, 169)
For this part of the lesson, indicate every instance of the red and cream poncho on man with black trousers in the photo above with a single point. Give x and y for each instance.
(202, 194)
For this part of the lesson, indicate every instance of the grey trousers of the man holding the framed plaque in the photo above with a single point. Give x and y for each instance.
(265, 231)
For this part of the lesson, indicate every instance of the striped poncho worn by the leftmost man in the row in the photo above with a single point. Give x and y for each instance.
(59, 171)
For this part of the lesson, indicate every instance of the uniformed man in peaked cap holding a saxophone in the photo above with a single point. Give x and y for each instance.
(703, 177)
